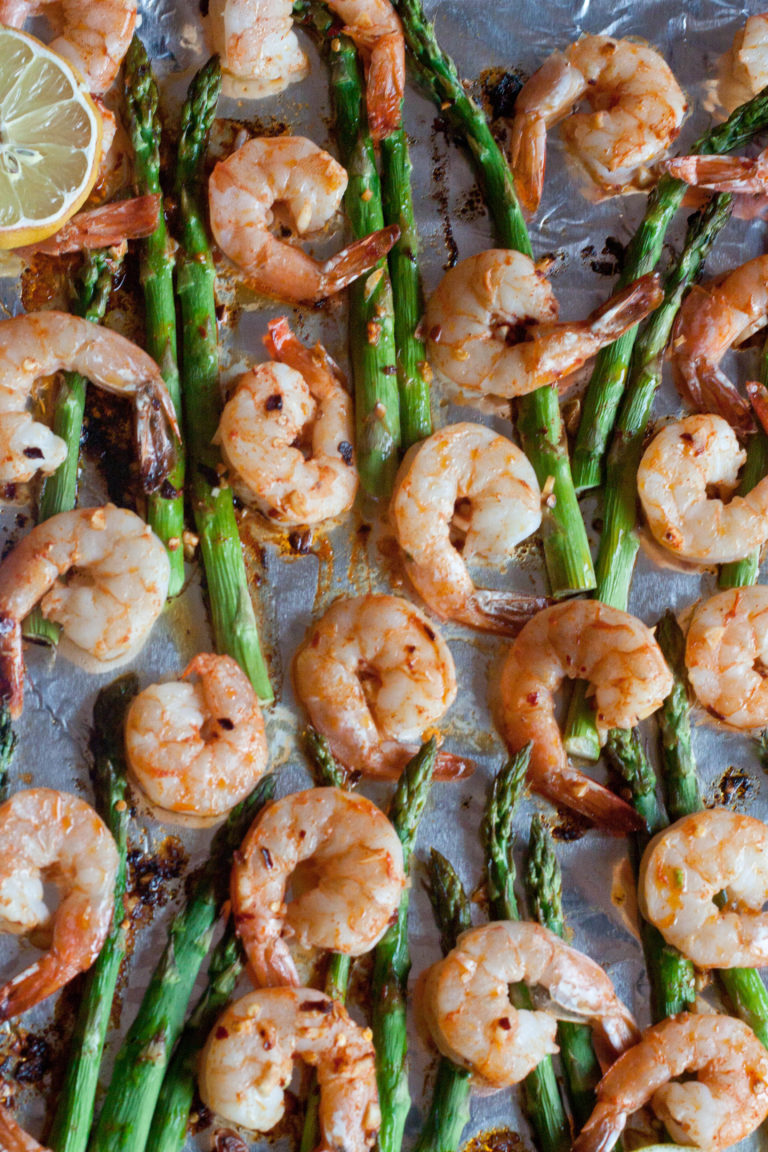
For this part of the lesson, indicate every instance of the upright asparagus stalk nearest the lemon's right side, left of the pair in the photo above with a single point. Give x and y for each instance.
(166, 512)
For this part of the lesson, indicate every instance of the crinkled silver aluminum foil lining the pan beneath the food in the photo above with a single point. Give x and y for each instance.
(582, 237)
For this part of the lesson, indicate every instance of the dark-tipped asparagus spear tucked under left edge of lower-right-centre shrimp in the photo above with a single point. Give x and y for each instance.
(450, 1111)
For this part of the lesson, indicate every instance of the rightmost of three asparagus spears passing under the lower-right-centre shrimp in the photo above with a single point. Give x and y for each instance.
(545, 888)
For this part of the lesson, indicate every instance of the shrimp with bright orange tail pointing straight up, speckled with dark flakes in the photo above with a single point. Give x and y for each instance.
(277, 410)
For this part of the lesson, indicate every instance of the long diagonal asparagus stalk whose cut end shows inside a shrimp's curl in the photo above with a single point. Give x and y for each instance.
(619, 542)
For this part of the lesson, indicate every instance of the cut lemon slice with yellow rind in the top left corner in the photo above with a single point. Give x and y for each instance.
(50, 140)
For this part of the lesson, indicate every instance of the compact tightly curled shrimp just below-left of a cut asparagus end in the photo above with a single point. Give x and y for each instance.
(199, 748)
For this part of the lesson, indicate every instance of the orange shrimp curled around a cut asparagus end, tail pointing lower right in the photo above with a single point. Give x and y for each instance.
(590, 641)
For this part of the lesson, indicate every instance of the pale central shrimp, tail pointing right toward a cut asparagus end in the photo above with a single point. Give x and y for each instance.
(500, 505)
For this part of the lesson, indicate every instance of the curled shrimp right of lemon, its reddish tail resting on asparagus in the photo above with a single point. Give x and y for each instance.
(291, 180)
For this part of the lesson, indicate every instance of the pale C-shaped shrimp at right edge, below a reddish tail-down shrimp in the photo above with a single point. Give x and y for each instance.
(679, 468)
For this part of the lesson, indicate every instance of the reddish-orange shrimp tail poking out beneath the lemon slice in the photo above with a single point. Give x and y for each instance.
(104, 228)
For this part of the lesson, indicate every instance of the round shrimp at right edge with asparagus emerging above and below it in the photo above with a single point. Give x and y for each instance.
(687, 866)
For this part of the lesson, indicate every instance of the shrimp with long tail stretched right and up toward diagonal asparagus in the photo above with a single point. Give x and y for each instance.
(492, 325)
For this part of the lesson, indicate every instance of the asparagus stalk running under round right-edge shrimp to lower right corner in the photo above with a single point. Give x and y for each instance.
(744, 987)
